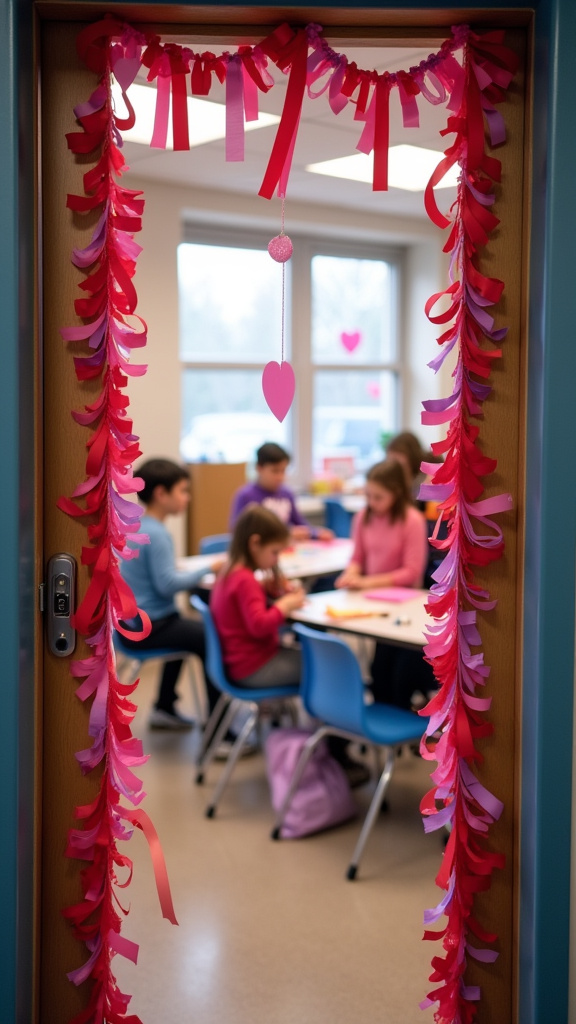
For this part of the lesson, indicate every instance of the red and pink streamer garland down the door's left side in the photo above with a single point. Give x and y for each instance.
(112, 331)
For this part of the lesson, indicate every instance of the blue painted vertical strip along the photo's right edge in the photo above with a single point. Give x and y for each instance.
(551, 517)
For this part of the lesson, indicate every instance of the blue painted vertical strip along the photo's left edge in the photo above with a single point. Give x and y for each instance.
(17, 511)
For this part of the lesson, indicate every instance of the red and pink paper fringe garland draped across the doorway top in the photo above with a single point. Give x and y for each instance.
(439, 80)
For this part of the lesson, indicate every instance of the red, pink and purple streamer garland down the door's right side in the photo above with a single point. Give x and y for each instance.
(457, 713)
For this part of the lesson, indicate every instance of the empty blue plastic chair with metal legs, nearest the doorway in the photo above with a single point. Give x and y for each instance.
(333, 692)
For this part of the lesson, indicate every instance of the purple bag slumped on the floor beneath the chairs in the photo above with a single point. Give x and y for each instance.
(323, 798)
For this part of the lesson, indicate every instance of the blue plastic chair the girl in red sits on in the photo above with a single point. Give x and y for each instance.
(232, 700)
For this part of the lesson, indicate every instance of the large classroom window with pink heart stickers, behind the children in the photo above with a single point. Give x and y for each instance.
(341, 334)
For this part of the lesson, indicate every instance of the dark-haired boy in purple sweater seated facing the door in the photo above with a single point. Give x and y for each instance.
(270, 491)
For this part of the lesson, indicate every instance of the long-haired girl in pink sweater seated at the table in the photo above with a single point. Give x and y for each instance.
(391, 549)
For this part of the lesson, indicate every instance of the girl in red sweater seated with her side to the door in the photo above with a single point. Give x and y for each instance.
(246, 621)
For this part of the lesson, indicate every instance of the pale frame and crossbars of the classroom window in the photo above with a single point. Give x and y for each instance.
(299, 321)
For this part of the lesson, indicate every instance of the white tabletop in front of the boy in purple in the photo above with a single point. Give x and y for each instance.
(300, 562)
